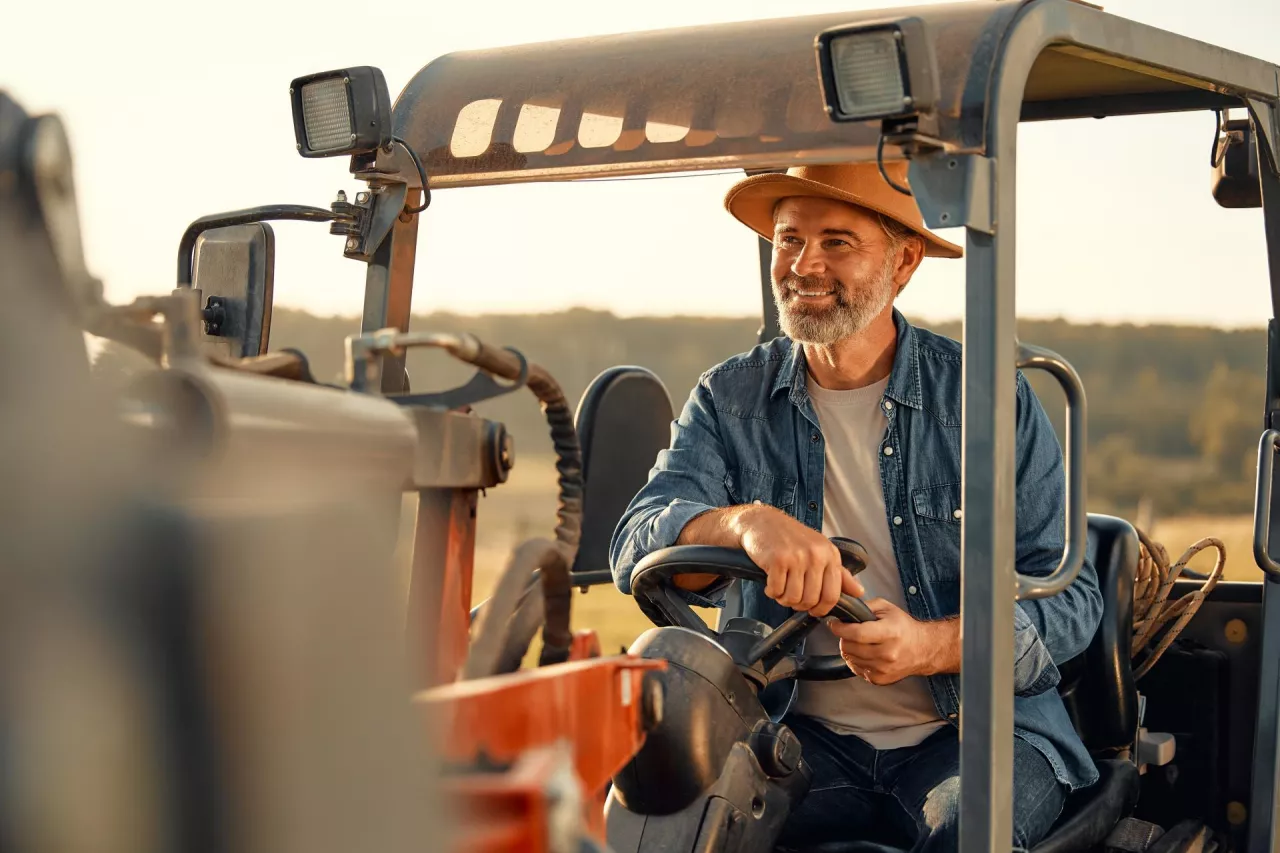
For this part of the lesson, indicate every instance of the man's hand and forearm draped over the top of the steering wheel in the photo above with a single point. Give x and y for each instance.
(803, 567)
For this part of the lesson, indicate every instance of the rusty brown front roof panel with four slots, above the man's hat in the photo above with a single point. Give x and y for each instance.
(735, 95)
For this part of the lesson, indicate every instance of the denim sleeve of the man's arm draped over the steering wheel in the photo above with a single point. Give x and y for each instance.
(688, 480)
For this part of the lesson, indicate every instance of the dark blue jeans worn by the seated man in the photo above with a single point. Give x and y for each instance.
(907, 797)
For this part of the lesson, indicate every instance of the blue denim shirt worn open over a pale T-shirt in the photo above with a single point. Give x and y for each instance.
(749, 432)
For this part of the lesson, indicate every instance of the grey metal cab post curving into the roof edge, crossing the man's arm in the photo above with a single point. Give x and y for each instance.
(990, 337)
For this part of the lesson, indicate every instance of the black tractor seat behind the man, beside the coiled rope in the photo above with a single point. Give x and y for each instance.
(1100, 695)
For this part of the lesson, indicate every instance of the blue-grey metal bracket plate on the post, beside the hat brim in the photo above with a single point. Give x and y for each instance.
(956, 190)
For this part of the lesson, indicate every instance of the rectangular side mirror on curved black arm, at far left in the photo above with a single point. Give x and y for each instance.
(235, 273)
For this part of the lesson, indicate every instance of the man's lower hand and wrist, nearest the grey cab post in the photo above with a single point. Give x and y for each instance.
(898, 646)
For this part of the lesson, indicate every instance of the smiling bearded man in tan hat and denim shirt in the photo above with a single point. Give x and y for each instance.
(851, 426)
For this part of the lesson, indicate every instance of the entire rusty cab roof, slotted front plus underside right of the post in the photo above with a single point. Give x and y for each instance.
(748, 95)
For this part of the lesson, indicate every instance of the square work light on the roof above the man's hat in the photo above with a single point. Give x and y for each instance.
(866, 74)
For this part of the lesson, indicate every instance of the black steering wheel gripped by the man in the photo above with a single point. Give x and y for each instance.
(755, 647)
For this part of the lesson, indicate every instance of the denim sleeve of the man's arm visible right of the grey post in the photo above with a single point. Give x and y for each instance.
(1050, 631)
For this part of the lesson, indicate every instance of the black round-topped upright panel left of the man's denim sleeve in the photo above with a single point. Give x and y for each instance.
(623, 423)
